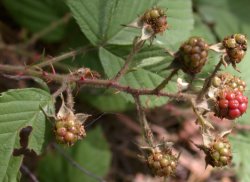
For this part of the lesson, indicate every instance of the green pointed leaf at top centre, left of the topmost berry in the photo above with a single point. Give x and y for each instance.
(101, 20)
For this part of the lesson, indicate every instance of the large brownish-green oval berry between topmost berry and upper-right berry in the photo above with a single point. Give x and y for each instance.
(192, 55)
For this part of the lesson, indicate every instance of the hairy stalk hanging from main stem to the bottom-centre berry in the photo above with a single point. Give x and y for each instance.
(147, 132)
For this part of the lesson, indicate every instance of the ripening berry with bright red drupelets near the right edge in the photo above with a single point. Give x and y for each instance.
(231, 104)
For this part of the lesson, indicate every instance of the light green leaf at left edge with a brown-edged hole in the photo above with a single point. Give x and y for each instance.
(19, 109)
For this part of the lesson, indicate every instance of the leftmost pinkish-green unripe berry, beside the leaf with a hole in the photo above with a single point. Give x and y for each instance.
(69, 131)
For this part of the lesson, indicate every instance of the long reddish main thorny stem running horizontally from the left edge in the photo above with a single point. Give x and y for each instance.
(97, 83)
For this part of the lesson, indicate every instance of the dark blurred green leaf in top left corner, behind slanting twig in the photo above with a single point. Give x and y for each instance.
(37, 15)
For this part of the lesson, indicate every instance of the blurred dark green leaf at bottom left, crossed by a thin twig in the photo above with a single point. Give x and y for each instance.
(92, 154)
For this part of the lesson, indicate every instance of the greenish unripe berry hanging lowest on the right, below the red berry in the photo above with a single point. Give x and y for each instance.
(219, 153)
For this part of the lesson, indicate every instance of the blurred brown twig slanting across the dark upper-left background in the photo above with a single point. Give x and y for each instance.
(47, 30)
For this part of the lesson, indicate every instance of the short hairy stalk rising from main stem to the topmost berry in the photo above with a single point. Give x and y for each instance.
(137, 45)
